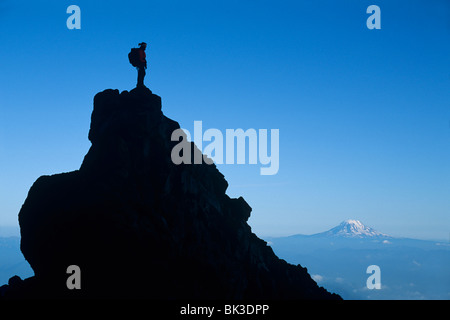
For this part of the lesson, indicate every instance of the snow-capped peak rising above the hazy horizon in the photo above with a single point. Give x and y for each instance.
(353, 229)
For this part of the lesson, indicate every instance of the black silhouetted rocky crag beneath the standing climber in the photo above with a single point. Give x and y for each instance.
(140, 226)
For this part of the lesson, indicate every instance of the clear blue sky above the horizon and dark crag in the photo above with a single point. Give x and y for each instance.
(364, 115)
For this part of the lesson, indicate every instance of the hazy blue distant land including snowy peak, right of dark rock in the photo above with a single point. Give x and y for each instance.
(338, 259)
